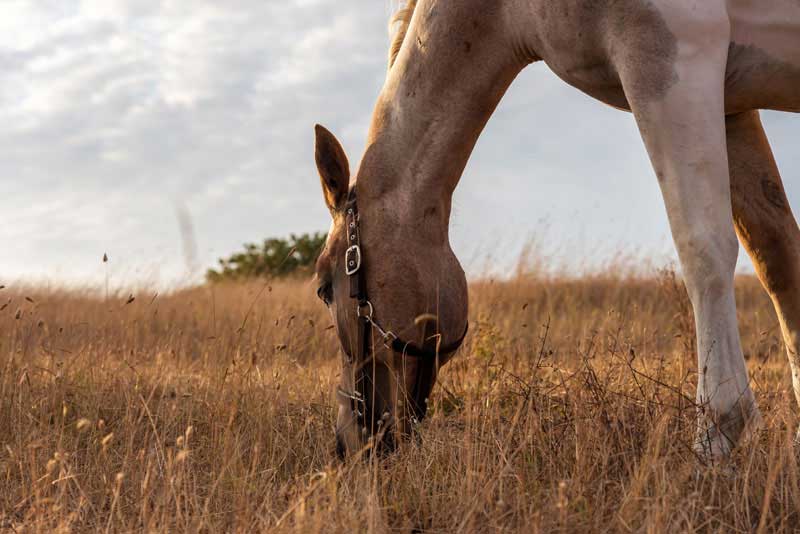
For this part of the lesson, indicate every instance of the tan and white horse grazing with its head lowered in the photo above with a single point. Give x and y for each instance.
(694, 73)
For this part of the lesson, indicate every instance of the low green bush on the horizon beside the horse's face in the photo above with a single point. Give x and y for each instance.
(275, 258)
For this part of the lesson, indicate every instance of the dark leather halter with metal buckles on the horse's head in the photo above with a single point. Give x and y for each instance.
(359, 401)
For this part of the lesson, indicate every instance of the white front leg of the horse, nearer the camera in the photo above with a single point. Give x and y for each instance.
(683, 128)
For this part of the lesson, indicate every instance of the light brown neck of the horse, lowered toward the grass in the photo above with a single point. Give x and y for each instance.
(452, 70)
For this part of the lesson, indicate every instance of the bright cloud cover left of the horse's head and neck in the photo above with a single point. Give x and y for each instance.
(116, 110)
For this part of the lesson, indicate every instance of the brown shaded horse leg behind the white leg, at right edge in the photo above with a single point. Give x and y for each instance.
(766, 226)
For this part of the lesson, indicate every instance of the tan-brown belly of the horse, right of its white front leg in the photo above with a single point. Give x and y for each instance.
(763, 69)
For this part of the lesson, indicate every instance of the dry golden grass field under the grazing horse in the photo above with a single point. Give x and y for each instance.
(211, 410)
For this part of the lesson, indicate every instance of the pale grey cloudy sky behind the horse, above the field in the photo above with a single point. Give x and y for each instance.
(120, 115)
